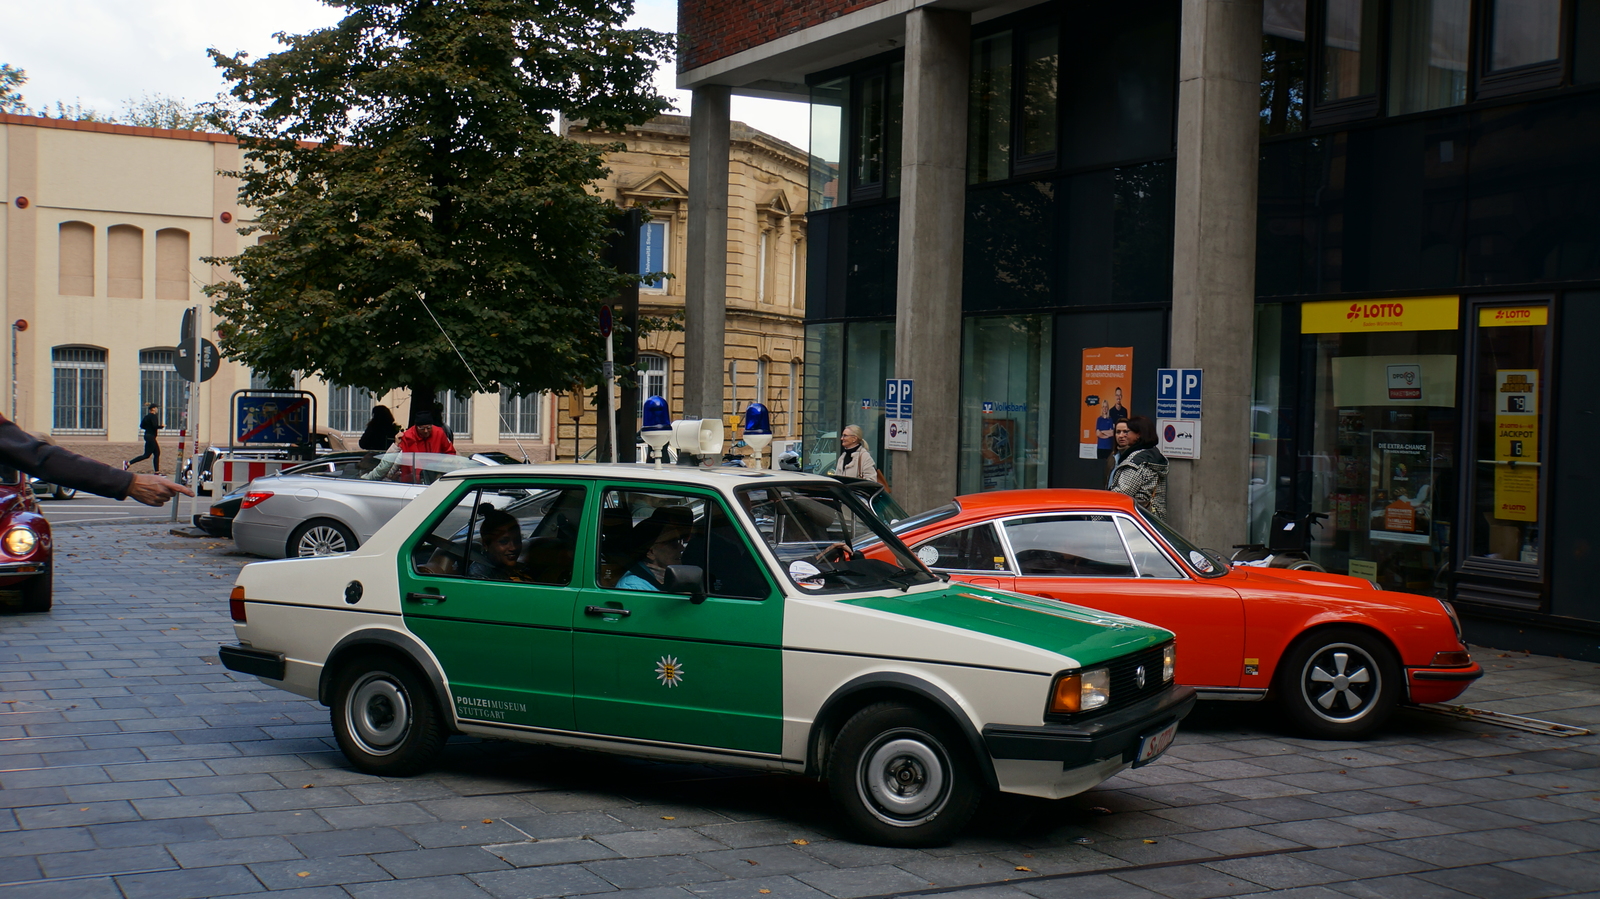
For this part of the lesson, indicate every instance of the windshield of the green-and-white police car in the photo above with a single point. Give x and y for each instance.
(817, 532)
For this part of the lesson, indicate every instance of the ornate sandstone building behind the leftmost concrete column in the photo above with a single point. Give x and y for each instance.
(766, 329)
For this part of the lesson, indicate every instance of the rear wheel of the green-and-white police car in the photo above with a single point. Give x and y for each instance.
(386, 719)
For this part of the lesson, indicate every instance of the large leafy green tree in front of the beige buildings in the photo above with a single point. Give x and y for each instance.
(428, 226)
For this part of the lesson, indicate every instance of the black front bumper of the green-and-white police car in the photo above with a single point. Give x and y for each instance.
(1105, 737)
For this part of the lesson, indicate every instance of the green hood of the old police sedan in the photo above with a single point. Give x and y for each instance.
(1084, 636)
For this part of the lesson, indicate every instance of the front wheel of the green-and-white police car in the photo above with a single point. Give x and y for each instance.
(902, 777)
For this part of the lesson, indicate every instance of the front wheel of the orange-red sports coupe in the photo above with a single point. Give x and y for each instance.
(1340, 684)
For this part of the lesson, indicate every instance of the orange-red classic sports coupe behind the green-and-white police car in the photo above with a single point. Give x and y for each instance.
(1335, 652)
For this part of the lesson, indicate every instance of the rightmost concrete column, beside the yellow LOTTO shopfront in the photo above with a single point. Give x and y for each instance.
(1215, 260)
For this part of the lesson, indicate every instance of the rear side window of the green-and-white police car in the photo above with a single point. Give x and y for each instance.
(513, 533)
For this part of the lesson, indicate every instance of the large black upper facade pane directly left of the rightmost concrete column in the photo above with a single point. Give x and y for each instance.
(1119, 82)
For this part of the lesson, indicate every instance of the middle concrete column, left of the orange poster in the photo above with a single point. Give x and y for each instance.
(934, 209)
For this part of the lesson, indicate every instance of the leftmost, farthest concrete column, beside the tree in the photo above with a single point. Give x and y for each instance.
(706, 278)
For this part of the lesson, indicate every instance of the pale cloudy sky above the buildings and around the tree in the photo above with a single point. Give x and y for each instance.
(105, 52)
